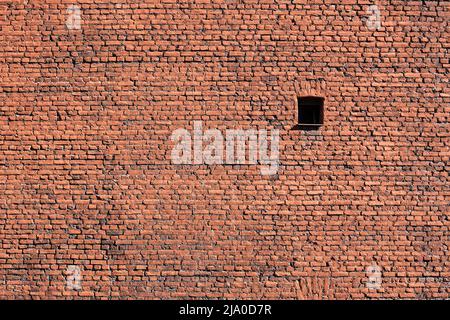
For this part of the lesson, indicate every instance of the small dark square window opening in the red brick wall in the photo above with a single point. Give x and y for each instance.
(310, 111)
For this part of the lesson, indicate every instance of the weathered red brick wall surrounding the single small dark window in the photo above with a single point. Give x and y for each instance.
(87, 180)
